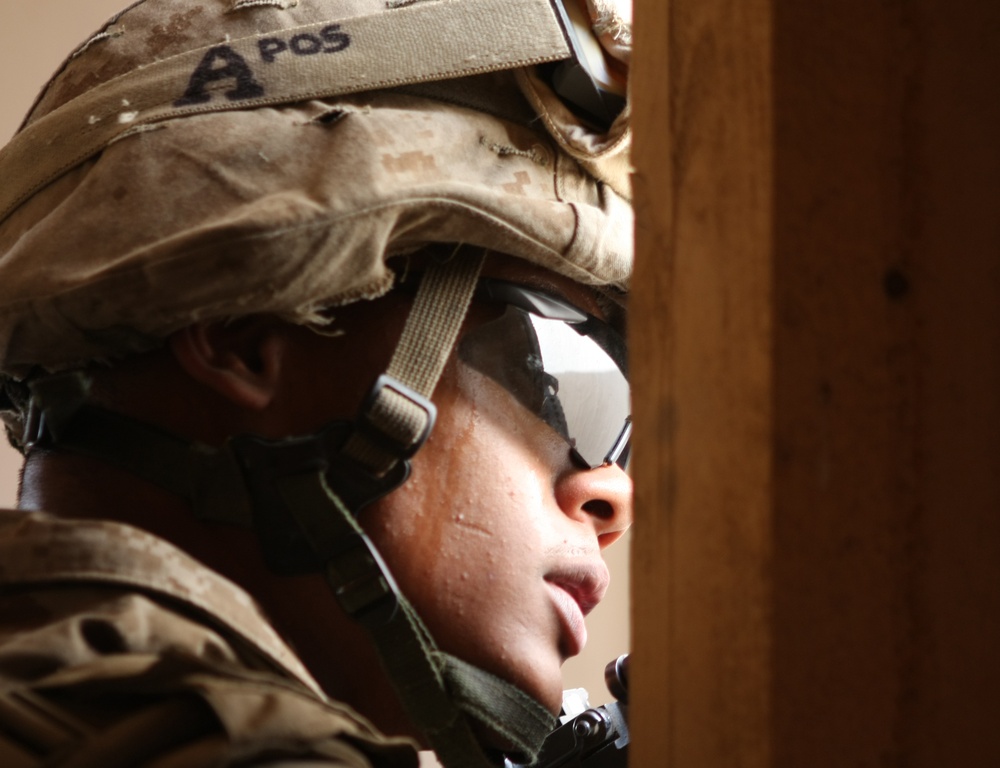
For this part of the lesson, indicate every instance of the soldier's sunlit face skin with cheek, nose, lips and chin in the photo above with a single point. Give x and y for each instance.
(497, 536)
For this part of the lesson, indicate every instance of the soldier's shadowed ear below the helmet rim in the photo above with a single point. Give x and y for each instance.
(240, 360)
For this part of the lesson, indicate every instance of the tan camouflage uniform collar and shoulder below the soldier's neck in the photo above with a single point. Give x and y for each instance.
(118, 649)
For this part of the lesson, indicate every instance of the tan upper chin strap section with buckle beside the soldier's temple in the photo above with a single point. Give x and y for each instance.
(398, 415)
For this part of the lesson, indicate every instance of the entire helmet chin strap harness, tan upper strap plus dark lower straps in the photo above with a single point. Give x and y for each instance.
(302, 495)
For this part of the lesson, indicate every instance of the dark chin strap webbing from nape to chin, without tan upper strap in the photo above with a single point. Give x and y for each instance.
(441, 693)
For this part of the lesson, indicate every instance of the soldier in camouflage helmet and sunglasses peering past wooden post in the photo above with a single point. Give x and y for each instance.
(311, 323)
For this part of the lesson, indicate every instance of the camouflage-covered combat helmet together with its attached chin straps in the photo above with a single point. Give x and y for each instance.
(270, 156)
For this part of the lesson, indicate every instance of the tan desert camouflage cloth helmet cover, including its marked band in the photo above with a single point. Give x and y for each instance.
(203, 159)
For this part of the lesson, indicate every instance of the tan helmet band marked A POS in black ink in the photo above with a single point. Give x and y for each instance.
(449, 39)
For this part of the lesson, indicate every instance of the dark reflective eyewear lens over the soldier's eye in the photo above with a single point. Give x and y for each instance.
(571, 375)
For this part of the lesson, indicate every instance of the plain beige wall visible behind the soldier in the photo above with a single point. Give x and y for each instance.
(35, 38)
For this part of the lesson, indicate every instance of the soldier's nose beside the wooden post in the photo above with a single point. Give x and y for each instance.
(601, 497)
